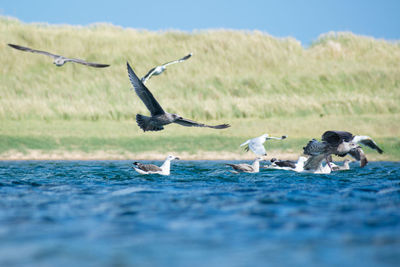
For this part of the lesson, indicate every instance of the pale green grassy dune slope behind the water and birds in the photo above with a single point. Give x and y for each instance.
(254, 81)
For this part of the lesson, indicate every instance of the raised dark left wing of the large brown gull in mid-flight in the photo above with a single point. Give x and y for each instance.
(144, 94)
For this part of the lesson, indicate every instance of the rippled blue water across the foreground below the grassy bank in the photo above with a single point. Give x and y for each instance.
(102, 213)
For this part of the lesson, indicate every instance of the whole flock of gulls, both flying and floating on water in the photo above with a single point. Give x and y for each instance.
(316, 158)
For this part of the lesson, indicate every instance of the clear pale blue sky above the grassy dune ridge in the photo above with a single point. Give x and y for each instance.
(304, 20)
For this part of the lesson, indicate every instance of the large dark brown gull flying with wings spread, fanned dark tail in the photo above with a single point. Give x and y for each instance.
(159, 117)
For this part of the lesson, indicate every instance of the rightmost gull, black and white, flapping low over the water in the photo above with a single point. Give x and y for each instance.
(334, 137)
